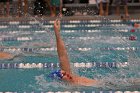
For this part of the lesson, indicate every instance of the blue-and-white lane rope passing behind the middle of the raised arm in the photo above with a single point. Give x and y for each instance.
(25, 49)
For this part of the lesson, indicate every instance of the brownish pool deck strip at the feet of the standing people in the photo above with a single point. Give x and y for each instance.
(95, 17)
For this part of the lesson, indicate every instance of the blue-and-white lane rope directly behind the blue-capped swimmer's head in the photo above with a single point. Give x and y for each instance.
(56, 65)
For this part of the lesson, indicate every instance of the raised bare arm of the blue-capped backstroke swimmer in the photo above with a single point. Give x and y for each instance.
(61, 50)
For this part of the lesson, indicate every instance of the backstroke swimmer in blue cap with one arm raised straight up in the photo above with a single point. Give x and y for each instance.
(65, 72)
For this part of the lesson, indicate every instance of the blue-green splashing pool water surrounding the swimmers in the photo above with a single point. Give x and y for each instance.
(88, 41)
